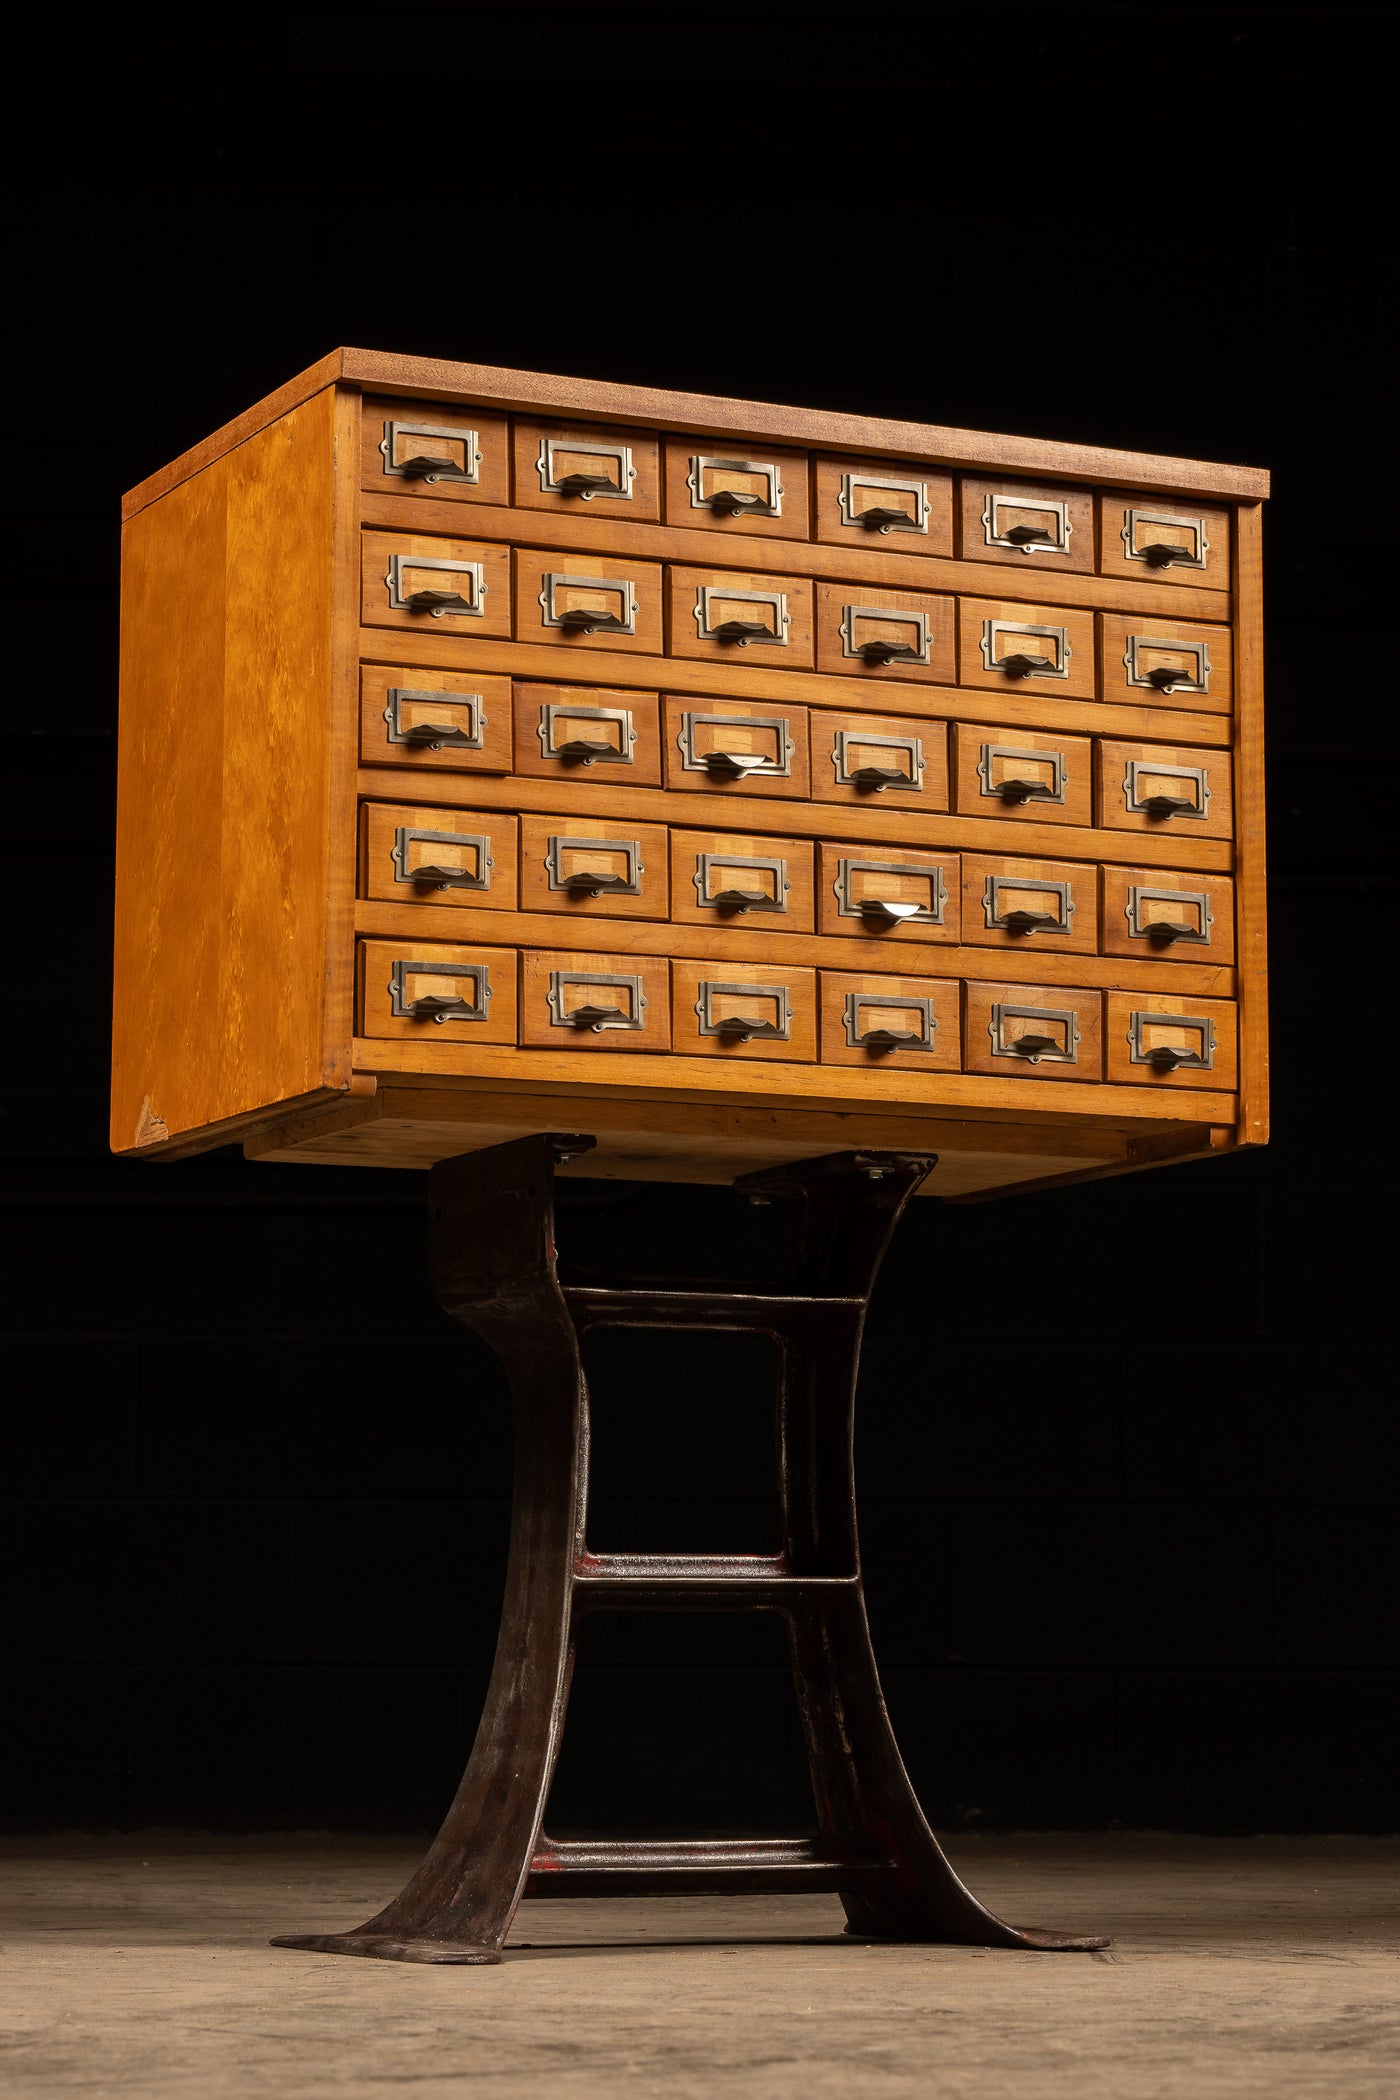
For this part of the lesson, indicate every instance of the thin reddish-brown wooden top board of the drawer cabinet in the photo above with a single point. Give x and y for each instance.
(664, 411)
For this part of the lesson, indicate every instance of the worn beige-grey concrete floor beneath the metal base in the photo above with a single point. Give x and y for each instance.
(1250, 1967)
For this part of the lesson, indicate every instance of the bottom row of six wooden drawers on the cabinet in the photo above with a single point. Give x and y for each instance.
(708, 1007)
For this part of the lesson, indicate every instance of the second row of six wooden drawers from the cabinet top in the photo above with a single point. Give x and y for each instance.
(616, 604)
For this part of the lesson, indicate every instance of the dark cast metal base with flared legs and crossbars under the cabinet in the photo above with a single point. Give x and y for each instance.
(496, 1272)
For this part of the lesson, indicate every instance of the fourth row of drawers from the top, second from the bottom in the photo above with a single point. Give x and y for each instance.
(622, 870)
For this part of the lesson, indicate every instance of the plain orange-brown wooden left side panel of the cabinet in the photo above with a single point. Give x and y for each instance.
(221, 925)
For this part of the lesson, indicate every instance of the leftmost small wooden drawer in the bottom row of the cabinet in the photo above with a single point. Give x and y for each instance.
(438, 994)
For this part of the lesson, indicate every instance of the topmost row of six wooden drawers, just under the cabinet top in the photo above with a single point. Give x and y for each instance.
(715, 486)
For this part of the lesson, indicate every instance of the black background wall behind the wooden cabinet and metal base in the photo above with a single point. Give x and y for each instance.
(1130, 1528)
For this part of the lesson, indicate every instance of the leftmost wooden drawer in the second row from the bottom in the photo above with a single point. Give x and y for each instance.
(438, 856)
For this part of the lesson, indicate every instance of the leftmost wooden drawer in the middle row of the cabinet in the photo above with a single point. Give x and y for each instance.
(452, 721)
